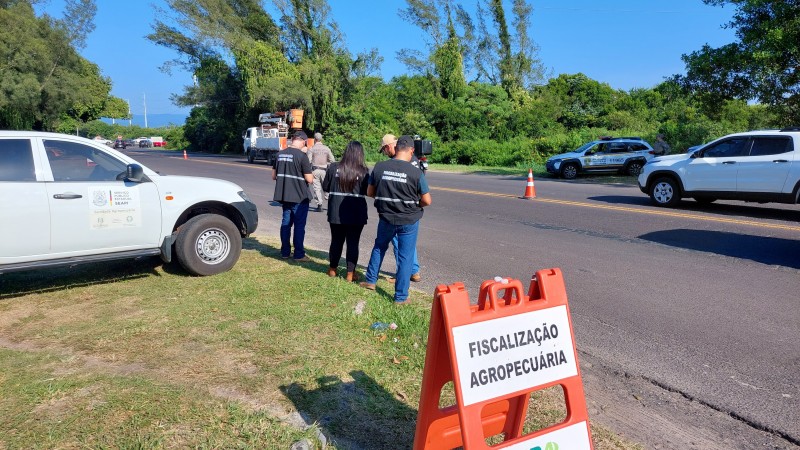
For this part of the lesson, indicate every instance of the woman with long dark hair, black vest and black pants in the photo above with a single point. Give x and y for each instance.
(346, 183)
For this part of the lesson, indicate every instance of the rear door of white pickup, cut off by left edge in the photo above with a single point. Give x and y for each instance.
(24, 209)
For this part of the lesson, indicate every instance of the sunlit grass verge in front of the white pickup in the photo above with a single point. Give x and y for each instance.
(139, 355)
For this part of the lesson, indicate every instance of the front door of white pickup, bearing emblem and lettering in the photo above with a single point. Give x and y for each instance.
(91, 211)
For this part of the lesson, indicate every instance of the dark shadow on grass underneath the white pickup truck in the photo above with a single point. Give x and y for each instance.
(18, 284)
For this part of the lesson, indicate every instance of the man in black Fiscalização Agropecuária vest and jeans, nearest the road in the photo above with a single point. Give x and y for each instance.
(400, 192)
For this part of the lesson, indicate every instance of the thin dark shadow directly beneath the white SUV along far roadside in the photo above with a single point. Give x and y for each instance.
(723, 209)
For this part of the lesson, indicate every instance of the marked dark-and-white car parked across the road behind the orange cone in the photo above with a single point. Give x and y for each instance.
(624, 154)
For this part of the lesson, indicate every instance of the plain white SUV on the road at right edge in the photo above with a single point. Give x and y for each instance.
(758, 166)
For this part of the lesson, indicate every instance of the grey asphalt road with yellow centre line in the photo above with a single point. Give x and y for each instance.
(699, 302)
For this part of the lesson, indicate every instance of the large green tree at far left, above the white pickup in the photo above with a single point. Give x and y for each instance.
(44, 81)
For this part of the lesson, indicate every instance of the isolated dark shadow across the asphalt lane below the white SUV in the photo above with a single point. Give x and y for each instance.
(765, 250)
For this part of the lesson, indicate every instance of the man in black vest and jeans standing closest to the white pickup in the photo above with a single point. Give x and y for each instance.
(292, 174)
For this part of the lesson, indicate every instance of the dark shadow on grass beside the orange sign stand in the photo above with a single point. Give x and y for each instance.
(360, 414)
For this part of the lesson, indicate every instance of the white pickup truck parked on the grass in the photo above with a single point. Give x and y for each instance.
(66, 200)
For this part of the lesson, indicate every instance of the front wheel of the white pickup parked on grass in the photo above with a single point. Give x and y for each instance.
(208, 244)
